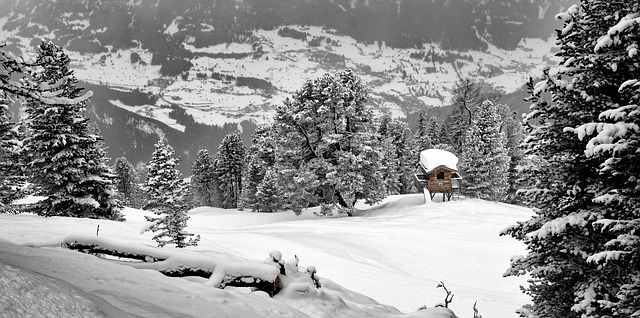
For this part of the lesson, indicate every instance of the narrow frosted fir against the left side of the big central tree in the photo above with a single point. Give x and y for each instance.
(260, 158)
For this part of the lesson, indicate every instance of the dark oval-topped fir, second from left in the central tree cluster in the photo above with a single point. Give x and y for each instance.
(229, 166)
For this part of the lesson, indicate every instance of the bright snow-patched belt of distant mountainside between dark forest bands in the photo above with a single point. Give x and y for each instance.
(231, 82)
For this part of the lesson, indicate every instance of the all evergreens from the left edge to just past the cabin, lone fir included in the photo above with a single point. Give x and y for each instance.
(325, 148)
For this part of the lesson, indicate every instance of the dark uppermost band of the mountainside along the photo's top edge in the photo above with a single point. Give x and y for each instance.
(90, 25)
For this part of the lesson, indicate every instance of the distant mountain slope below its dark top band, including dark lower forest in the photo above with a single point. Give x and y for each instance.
(221, 94)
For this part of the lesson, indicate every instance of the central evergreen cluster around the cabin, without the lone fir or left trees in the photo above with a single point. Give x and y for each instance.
(326, 148)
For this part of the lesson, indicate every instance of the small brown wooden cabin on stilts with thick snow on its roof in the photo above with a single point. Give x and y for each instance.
(437, 172)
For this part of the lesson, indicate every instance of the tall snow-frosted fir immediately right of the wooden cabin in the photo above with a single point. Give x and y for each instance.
(484, 161)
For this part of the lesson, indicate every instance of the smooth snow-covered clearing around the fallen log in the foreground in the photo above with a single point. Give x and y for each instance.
(395, 253)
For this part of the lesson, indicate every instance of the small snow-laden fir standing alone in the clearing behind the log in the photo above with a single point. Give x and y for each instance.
(167, 196)
